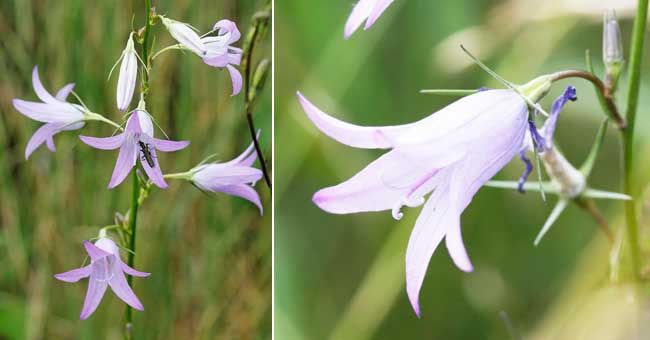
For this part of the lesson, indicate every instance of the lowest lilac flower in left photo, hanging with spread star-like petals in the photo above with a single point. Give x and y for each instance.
(105, 269)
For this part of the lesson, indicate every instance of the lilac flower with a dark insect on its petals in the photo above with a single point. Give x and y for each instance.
(136, 142)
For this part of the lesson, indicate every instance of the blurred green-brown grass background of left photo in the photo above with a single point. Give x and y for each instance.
(210, 258)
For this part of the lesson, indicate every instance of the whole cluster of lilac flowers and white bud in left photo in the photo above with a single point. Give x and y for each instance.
(138, 148)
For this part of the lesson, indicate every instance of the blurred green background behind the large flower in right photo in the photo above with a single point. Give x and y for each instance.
(342, 276)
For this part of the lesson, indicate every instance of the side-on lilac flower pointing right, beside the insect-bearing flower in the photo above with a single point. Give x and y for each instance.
(235, 177)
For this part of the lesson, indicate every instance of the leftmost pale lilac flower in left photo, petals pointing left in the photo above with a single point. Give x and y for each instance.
(57, 114)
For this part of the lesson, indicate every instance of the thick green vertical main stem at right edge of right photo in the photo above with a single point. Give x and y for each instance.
(638, 37)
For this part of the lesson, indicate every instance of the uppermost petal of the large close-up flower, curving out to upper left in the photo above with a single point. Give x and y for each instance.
(372, 137)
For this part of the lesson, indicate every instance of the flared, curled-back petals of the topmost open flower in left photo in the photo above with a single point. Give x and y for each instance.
(221, 54)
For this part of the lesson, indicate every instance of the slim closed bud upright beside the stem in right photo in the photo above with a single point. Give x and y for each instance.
(612, 49)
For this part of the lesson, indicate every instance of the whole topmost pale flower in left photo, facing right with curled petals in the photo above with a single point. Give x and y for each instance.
(216, 51)
